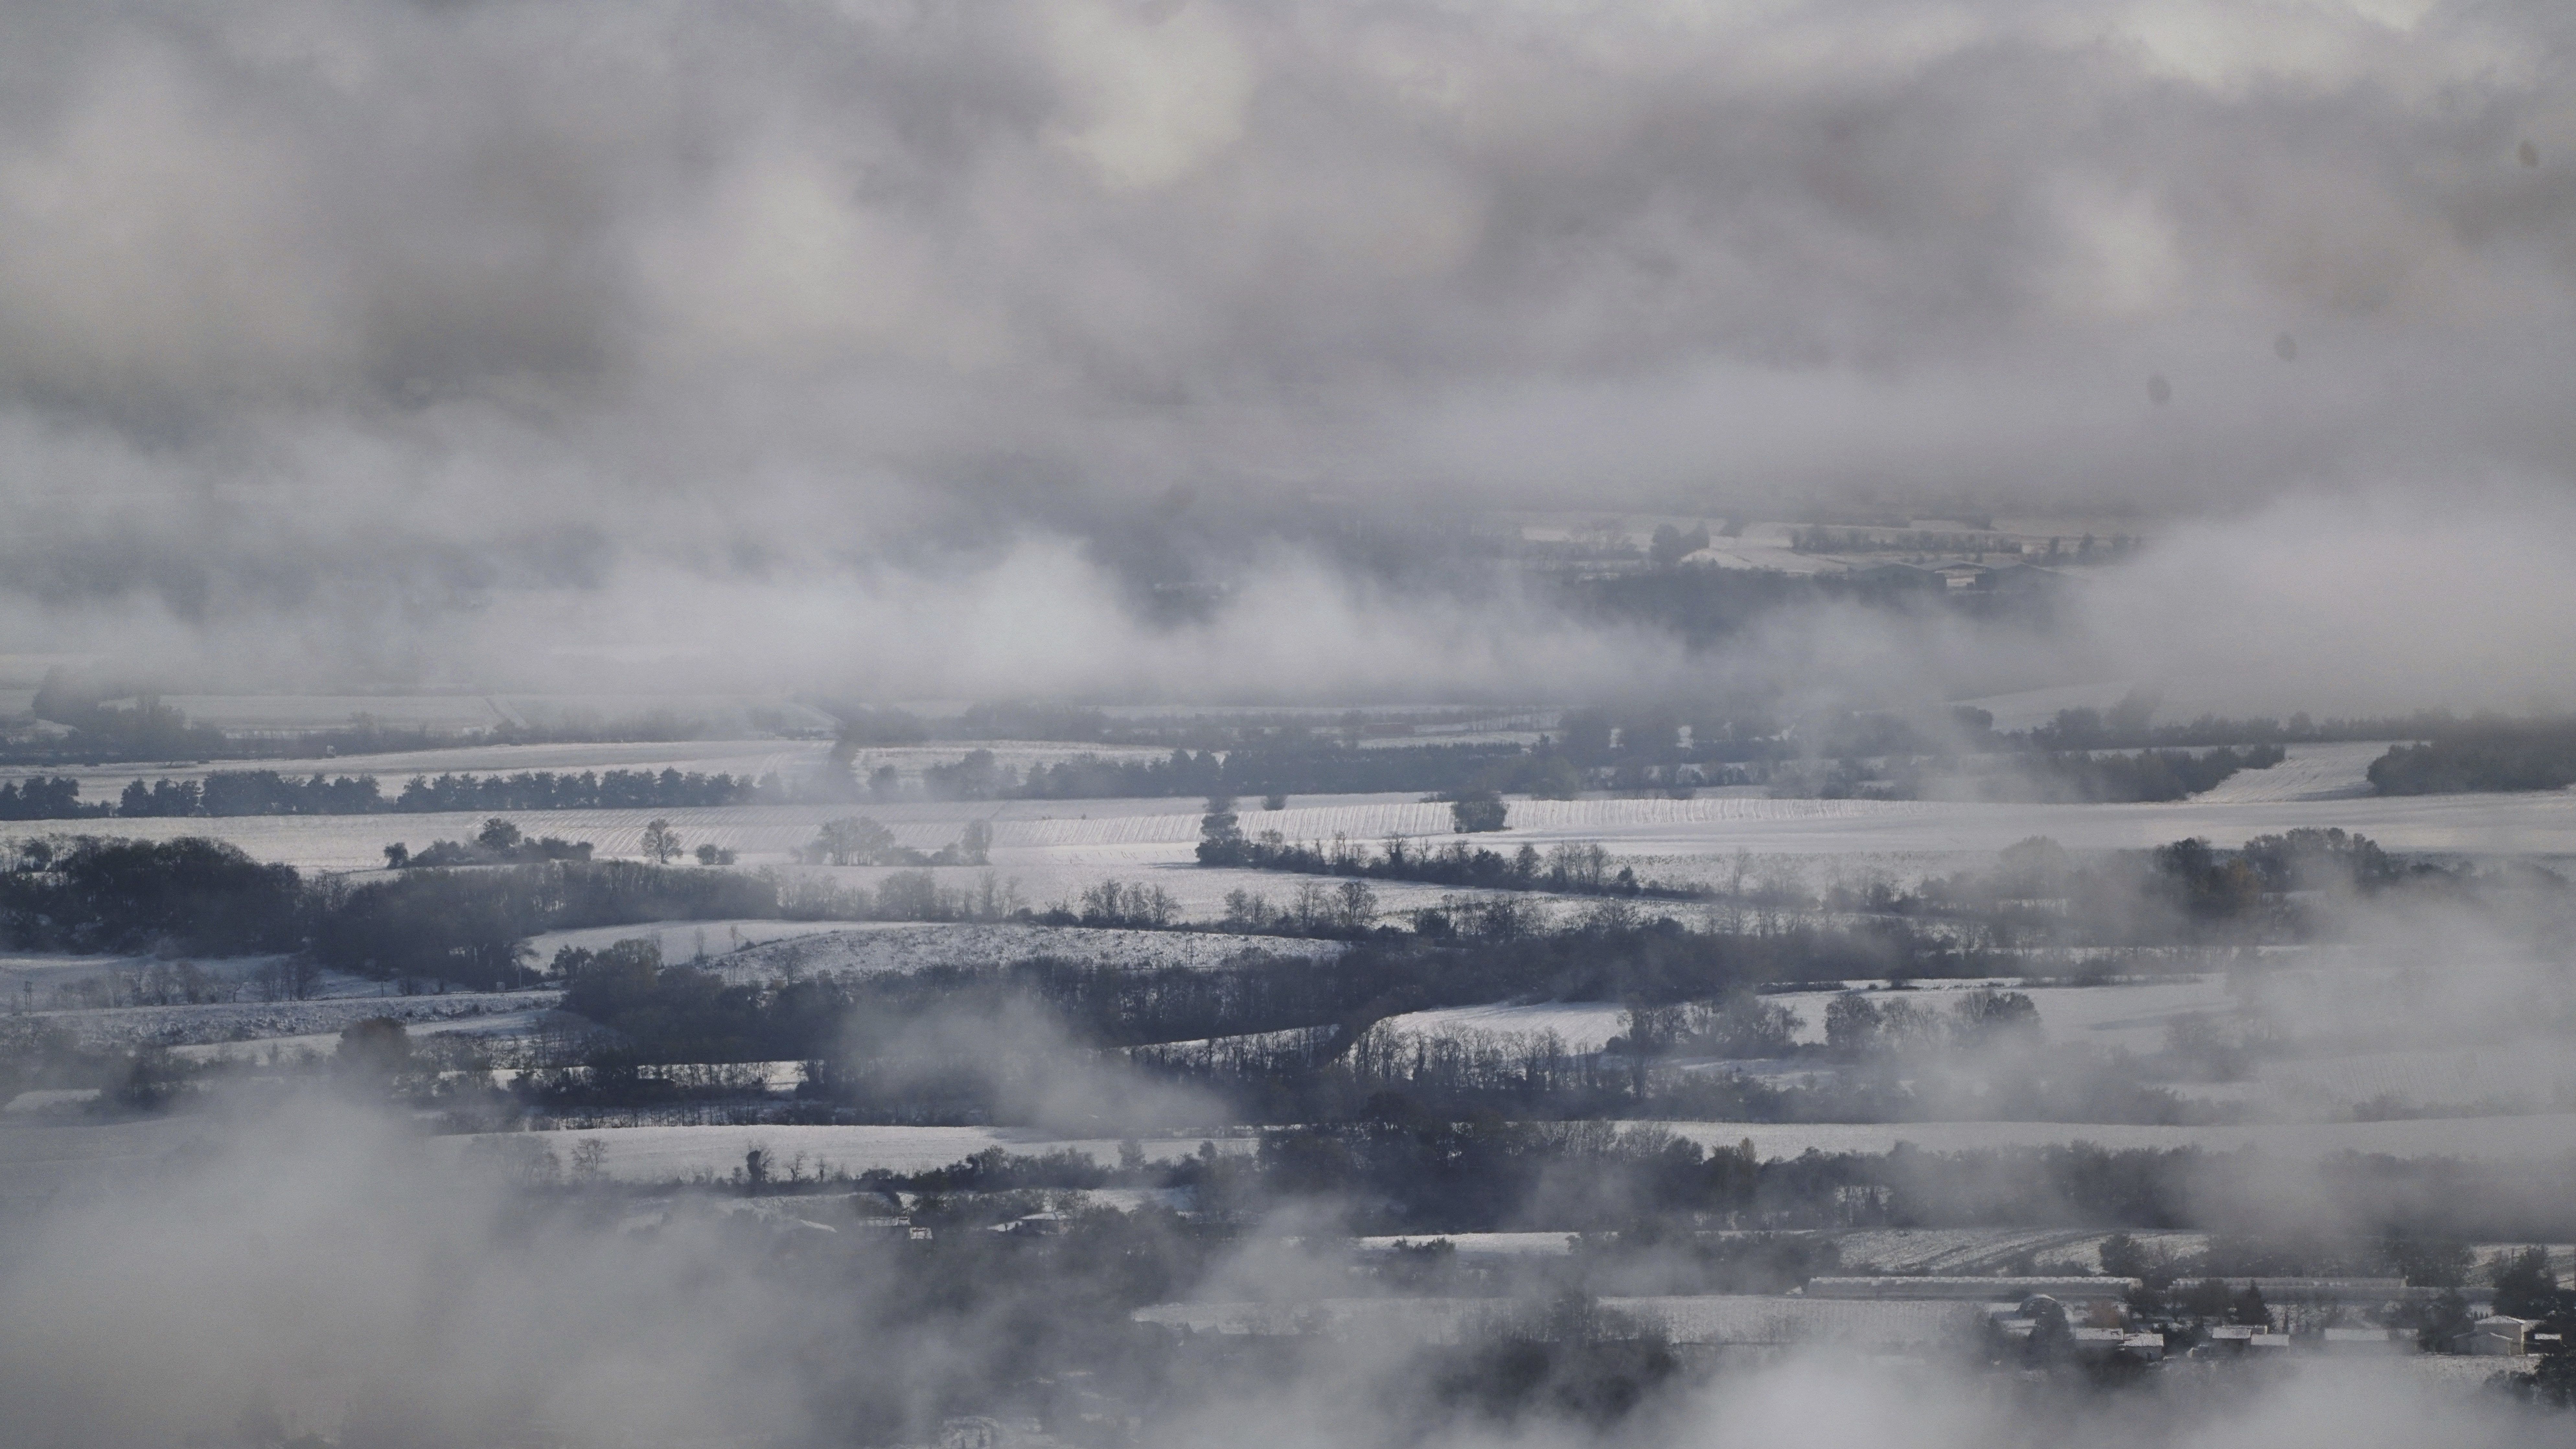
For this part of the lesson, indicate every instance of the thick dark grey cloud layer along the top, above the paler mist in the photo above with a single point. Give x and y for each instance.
(1230, 205)
